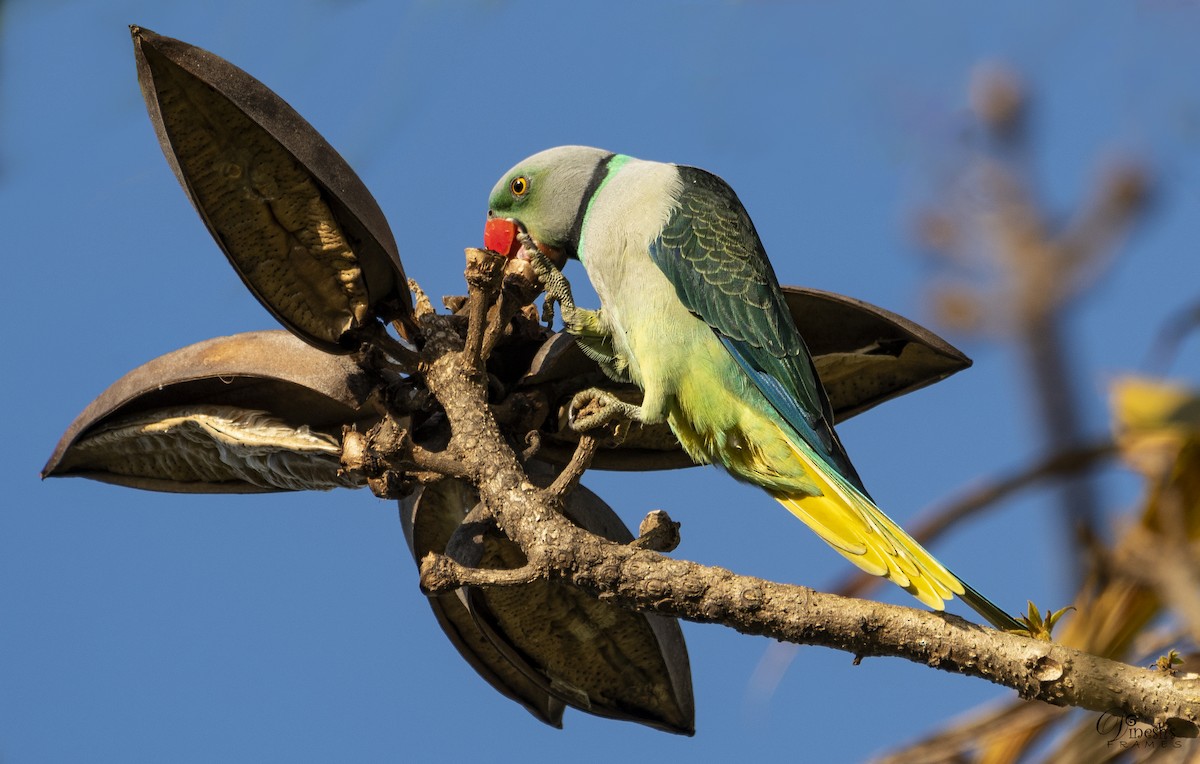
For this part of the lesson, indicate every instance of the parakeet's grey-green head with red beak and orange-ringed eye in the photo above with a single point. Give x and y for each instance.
(544, 195)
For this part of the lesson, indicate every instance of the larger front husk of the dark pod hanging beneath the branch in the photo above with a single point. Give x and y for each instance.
(593, 655)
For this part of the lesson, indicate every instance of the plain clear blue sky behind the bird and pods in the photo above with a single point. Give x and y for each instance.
(148, 628)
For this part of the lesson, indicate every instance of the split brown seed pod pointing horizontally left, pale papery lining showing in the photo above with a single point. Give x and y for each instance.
(244, 414)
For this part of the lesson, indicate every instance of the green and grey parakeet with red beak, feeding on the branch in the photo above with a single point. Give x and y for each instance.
(692, 312)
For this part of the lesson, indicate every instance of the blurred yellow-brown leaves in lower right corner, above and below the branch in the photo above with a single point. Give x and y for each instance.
(1141, 603)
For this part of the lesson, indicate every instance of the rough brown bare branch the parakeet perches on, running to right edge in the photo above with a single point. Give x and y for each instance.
(646, 581)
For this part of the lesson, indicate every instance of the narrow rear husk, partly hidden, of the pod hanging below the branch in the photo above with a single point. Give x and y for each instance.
(430, 516)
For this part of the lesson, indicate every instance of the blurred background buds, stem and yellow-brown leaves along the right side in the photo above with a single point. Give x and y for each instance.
(1013, 273)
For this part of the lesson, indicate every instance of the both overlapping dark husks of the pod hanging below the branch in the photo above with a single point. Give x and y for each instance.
(545, 645)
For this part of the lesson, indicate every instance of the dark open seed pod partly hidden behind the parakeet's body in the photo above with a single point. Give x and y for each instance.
(865, 356)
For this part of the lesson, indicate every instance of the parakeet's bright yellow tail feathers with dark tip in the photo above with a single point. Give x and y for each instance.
(854, 526)
